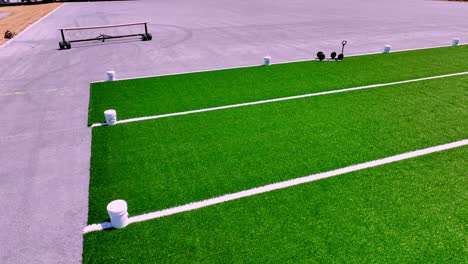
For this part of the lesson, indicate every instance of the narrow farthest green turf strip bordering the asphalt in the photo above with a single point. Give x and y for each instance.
(166, 94)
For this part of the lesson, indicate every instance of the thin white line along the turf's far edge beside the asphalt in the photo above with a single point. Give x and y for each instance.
(278, 63)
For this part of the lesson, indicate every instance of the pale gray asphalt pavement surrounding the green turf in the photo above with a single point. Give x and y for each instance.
(44, 92)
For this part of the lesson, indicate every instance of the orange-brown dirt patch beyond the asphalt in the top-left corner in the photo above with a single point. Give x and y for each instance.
(17, 18)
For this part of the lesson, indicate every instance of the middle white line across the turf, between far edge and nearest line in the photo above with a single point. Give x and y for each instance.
(137, 119)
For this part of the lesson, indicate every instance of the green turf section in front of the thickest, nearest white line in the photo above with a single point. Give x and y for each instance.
(412, 211)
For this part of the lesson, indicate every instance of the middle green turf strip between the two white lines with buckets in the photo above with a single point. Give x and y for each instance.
(167, 162)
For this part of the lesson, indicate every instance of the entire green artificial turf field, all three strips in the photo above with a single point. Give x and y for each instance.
(409, 211)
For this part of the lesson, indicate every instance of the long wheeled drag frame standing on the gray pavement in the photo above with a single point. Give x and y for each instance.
(102, 33)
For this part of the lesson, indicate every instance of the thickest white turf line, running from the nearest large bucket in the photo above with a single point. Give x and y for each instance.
(279, 185)
